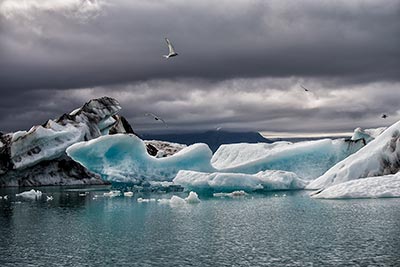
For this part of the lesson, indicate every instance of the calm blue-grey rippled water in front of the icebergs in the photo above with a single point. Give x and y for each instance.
(257, 230)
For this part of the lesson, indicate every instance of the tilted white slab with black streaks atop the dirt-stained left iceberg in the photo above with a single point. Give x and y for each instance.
(49, 141)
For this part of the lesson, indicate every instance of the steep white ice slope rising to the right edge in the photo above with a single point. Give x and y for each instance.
(379, 157)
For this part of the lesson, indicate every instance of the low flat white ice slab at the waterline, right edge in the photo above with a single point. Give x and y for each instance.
(372, 187)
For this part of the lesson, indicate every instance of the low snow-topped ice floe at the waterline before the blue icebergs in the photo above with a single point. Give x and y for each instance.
(228, 182)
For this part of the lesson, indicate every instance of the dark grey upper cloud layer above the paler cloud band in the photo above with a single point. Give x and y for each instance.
(123, 41)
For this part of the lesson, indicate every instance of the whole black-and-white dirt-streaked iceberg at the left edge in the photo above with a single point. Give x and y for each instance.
(37, 157)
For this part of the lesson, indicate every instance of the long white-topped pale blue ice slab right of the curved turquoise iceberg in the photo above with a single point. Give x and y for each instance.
(308, 159)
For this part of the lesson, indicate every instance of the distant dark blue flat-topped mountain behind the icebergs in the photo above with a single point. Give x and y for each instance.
(212, 138)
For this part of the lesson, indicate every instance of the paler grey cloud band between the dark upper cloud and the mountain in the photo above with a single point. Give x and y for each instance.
(238, 104)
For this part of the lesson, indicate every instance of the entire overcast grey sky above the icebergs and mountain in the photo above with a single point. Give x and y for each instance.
(240, 63)
